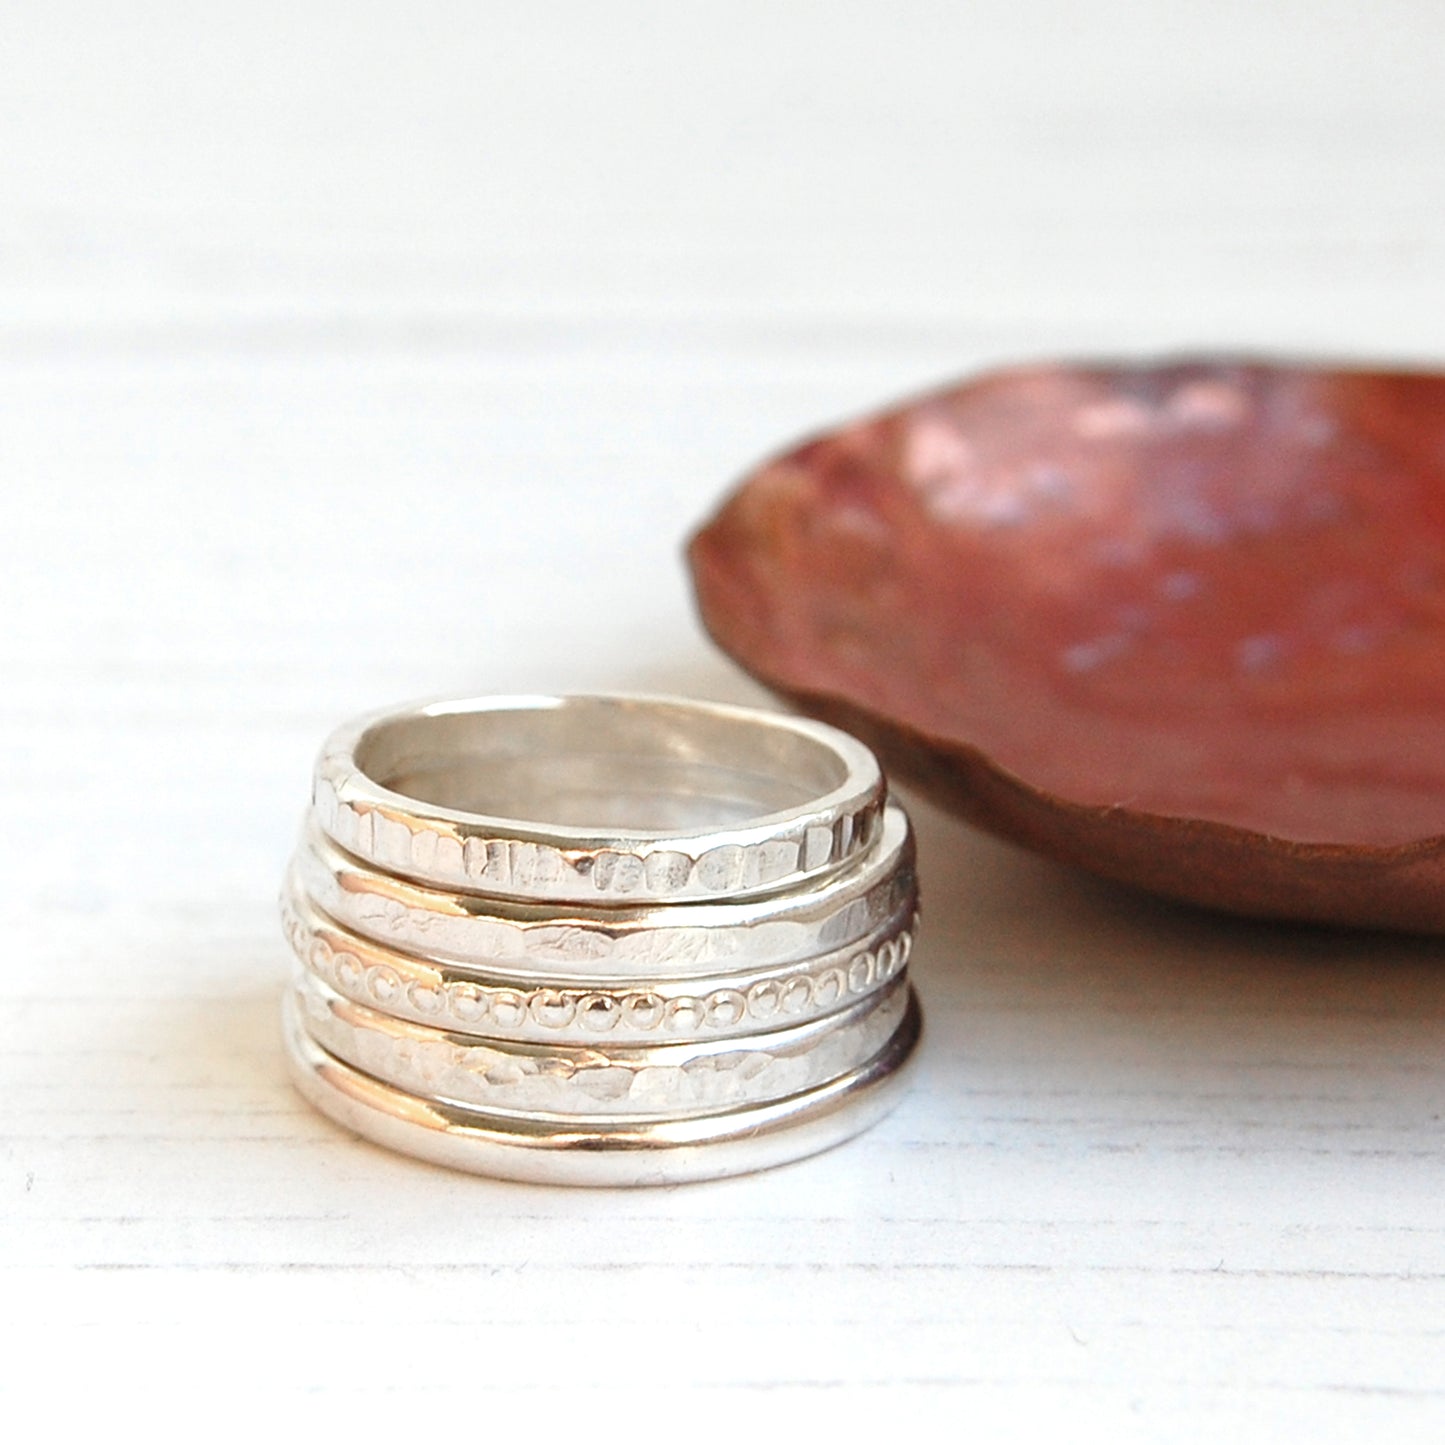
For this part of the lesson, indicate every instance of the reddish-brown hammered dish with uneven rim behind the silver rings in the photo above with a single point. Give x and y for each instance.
(1180, 625)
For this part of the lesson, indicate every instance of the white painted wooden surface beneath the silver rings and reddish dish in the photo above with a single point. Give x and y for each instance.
(358, 352)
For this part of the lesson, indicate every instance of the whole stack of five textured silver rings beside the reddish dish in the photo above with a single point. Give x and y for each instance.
(600, 940)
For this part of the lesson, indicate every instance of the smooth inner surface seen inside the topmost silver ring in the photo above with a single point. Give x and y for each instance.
(602, 765)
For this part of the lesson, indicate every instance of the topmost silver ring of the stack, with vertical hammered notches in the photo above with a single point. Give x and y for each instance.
(599, 800)
